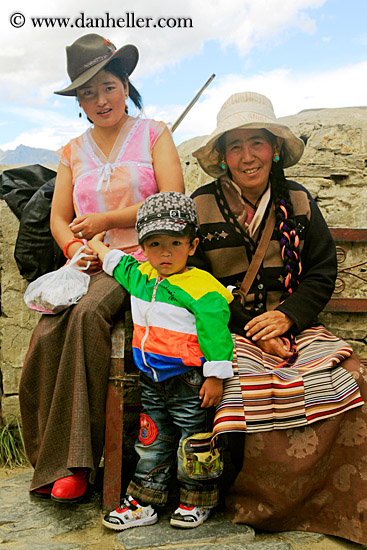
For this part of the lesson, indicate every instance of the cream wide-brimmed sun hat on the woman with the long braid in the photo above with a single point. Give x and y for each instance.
(247, 110)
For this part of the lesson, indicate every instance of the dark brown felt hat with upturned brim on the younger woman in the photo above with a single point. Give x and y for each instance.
(89, 54)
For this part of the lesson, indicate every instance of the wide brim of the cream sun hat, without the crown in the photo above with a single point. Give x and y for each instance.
(209, 158)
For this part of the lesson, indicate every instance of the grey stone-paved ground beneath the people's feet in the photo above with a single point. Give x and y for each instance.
(28, 523)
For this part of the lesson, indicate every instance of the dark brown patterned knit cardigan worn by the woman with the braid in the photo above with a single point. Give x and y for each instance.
(227, 251)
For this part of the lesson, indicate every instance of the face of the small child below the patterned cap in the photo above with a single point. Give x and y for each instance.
(168, 255)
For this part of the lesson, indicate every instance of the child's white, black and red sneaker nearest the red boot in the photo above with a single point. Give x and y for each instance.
(130, 514)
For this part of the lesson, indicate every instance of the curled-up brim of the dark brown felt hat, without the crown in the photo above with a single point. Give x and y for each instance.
(129, 57)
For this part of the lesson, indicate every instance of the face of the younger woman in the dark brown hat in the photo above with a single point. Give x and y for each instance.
(103, 99)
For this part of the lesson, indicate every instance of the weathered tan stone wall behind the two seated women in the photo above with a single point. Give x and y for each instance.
(334, 170)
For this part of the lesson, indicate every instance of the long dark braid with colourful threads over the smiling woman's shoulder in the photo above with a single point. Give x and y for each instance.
(286, 226)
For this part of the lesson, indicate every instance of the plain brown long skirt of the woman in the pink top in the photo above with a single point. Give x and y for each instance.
(63, 386)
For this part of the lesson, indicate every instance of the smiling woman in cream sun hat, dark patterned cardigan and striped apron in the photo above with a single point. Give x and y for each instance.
(295, 390)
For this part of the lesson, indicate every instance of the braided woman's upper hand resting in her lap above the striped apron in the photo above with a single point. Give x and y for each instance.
(268, 325)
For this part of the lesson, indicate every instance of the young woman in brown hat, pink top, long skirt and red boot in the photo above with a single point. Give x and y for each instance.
(103, 177)
